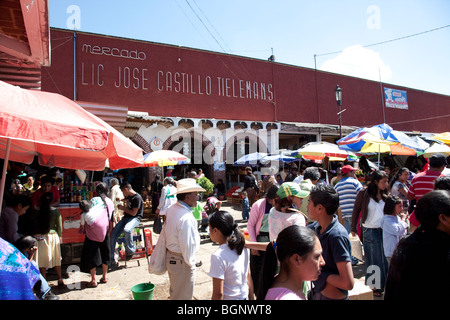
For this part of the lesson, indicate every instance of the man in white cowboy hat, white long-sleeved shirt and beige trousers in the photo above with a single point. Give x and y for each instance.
(182, 240)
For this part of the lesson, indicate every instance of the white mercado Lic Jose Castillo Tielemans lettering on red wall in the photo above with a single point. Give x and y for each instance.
(145, 77)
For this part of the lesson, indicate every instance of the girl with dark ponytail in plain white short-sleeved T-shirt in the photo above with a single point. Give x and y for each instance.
(230, 263)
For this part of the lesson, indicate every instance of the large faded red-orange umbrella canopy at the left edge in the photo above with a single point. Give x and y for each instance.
(59, 132)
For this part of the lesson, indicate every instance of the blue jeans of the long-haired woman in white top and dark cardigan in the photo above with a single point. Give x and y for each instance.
(376, 263)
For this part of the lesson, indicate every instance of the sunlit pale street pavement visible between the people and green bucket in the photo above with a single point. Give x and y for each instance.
(120, 281)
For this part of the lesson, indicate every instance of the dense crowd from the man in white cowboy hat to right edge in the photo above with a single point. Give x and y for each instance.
(299, 231)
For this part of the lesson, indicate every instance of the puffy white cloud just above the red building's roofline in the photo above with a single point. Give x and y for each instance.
(360, 62)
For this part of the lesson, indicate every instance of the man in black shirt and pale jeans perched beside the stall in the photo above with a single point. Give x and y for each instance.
(133, 213)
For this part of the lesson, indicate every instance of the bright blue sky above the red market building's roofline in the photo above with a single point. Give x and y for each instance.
(296, 30)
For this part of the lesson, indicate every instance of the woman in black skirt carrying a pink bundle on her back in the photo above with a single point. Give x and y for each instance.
(96, 224)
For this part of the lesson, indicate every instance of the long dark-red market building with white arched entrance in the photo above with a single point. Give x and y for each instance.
(215, 107)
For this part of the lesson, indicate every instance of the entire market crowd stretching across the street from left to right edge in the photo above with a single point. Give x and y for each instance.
(299, 227)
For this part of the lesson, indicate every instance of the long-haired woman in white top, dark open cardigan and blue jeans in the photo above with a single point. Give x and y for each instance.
(370, 203)
